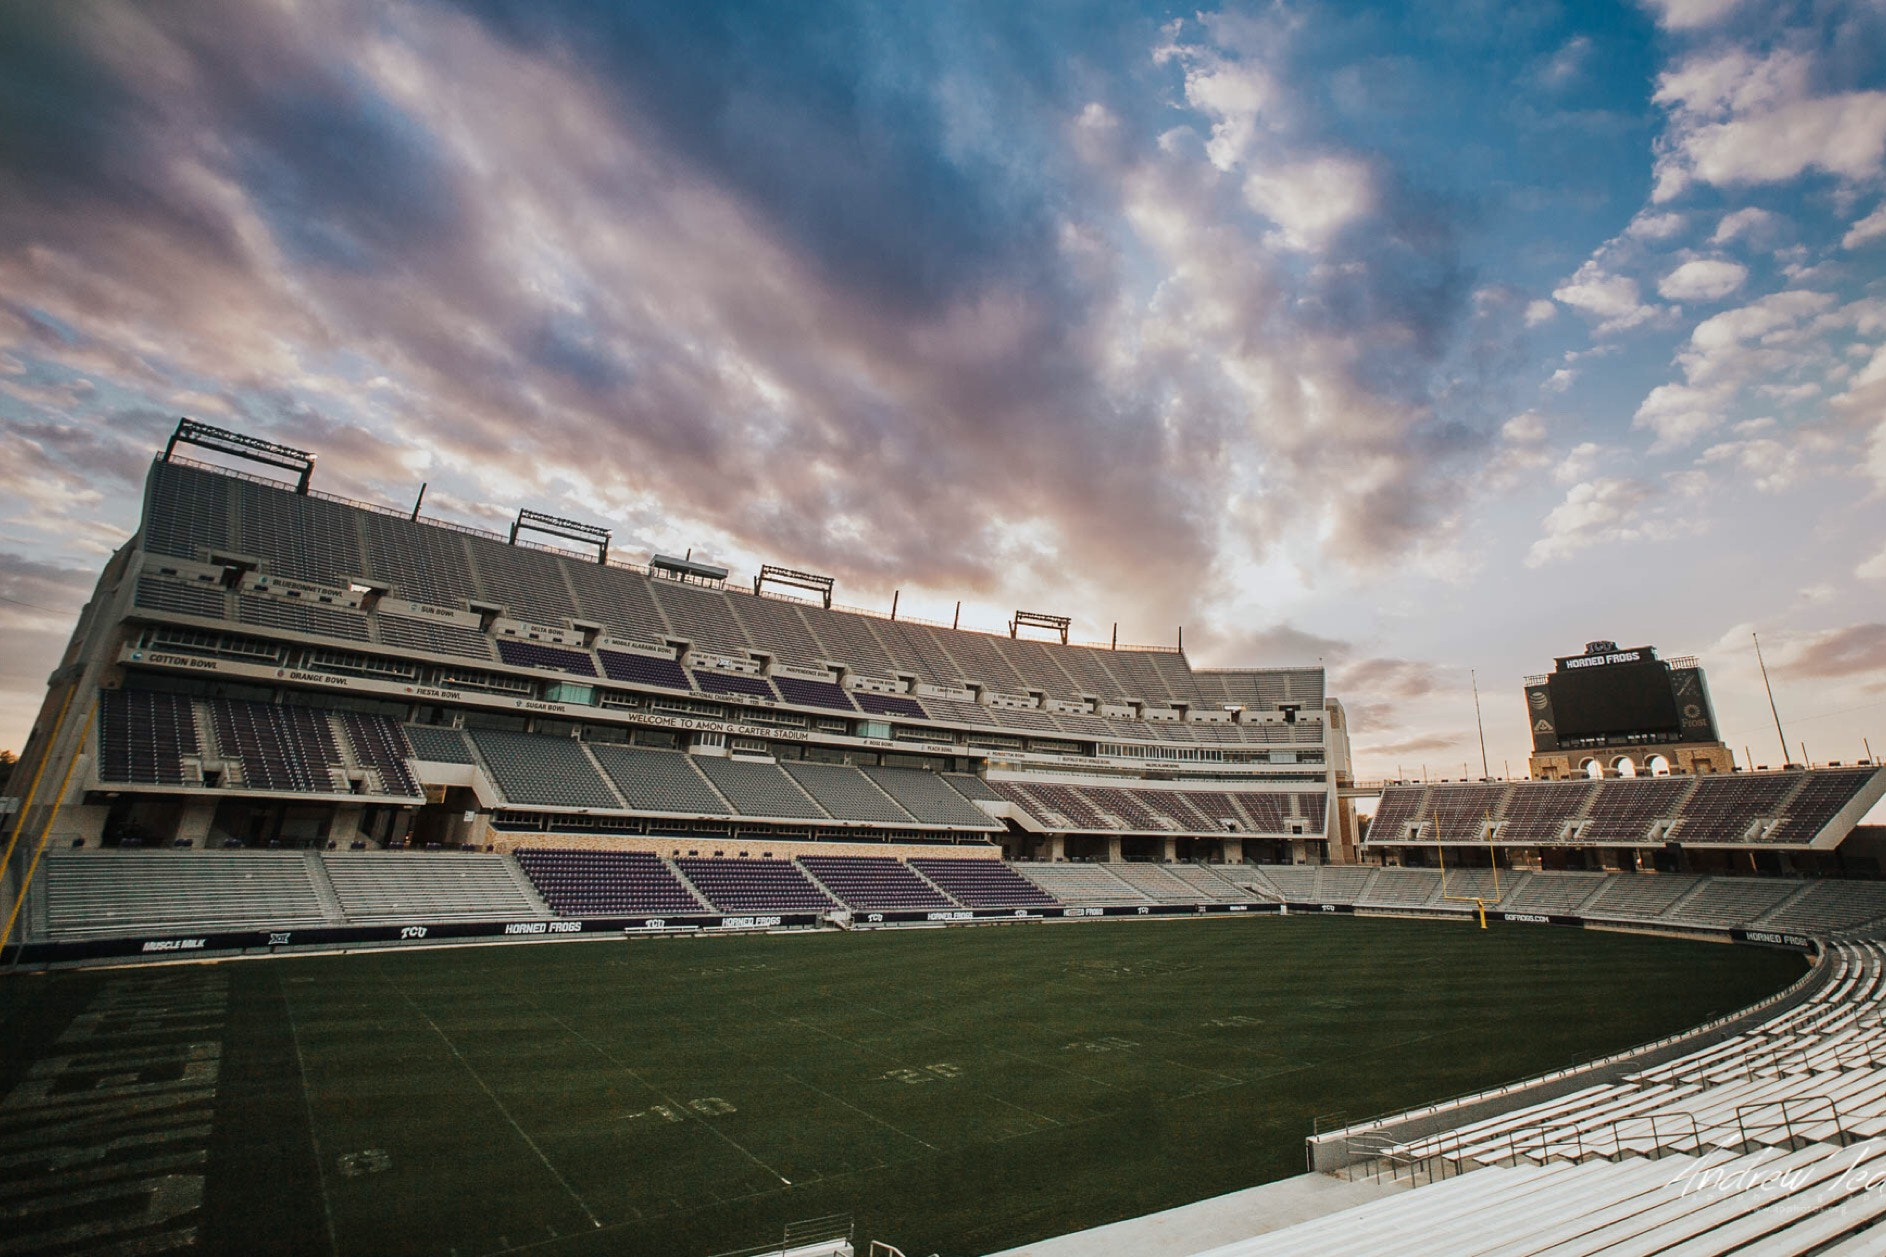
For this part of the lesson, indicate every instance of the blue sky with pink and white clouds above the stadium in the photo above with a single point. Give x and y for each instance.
(1427, 341)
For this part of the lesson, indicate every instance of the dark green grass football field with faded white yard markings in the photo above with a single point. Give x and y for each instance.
(959, 1092)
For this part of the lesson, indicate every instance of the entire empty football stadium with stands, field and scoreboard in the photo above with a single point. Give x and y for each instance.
(386, 886)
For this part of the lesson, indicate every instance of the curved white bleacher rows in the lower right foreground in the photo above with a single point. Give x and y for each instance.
(1785, 1113)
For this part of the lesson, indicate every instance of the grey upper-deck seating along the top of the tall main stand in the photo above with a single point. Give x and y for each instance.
(306, 537)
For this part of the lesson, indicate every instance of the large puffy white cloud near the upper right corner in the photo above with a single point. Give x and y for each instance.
(1740, 120)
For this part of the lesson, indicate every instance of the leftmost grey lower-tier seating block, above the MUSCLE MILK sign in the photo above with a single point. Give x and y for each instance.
(91, 894)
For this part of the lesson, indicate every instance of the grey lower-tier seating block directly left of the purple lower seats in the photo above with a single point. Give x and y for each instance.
(410, 886)
